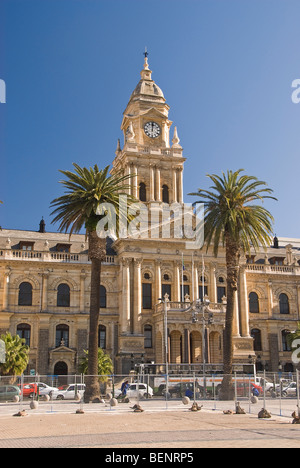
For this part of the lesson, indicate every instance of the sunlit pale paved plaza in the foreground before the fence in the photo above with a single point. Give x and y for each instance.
(58, 426)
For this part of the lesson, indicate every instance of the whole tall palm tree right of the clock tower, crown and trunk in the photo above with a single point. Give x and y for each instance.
(232, 221)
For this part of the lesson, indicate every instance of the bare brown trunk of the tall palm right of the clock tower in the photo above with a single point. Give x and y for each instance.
(232, 265)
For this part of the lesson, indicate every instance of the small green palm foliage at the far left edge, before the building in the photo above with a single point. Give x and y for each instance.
(17, 355)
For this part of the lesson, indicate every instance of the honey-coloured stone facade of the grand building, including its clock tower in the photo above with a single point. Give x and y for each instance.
(45, 277)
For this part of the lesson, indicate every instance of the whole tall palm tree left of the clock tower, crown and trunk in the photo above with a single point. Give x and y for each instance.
(86, 191)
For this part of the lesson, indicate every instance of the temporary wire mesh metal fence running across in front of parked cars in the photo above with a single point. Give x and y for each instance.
(278, 392)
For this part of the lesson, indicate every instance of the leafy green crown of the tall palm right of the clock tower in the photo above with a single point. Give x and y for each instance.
(228, 211)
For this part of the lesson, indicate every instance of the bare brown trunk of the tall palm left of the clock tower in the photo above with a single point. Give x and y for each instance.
(97, 253)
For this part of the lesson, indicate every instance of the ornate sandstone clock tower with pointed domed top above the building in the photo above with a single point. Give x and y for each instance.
(155, 164)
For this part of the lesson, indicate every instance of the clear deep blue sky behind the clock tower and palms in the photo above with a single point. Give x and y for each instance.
(226, 68)
